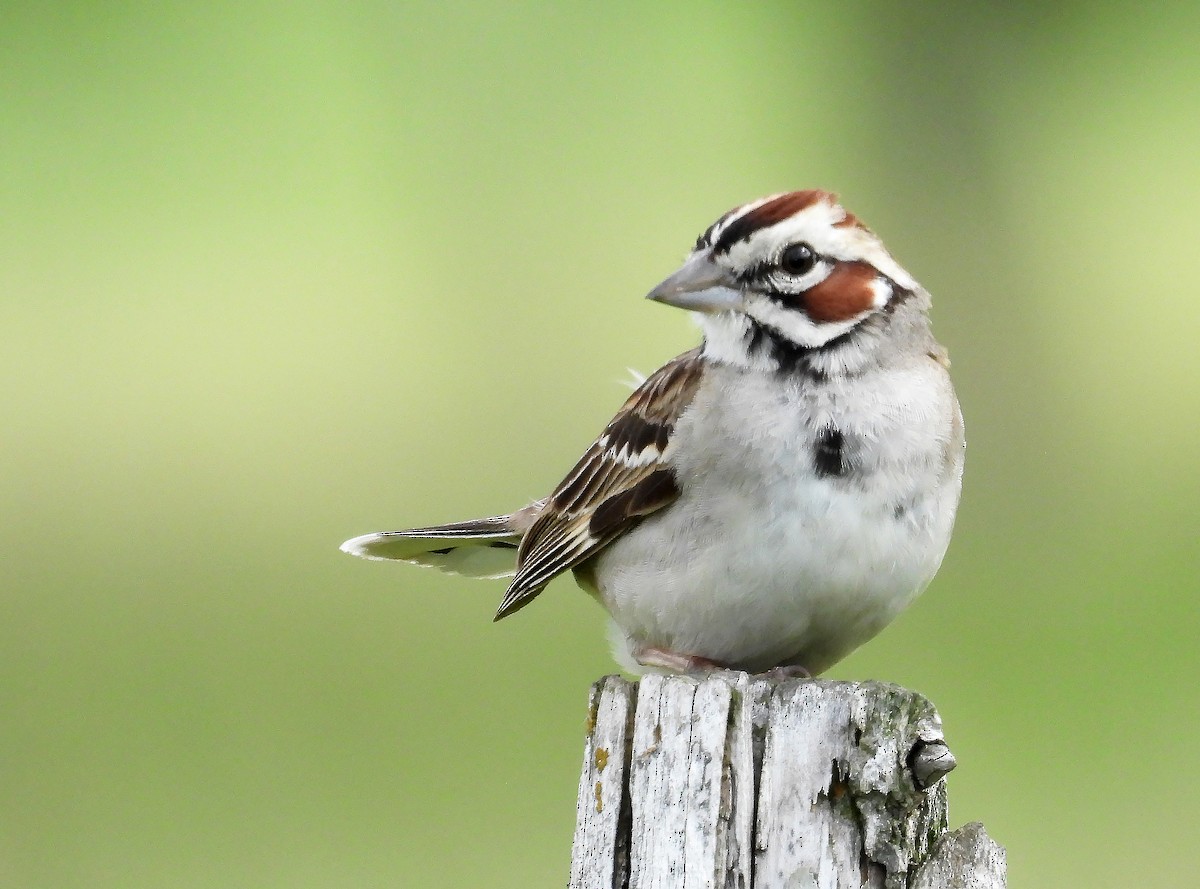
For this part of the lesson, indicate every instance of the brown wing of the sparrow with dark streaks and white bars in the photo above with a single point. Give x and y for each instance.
(621, 479)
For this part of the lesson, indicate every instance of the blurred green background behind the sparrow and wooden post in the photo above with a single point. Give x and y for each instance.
(273, 275)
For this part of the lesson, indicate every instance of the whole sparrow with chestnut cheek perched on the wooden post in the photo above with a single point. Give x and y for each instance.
(771, 500)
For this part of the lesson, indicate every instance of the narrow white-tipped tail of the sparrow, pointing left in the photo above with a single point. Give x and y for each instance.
(482, 548)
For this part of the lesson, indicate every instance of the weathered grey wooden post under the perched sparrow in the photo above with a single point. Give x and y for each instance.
(737, 783)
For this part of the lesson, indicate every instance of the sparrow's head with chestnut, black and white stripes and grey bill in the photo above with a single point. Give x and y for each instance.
(793, 281)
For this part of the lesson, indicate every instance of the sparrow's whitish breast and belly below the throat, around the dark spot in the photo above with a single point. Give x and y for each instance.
(763, 562)
